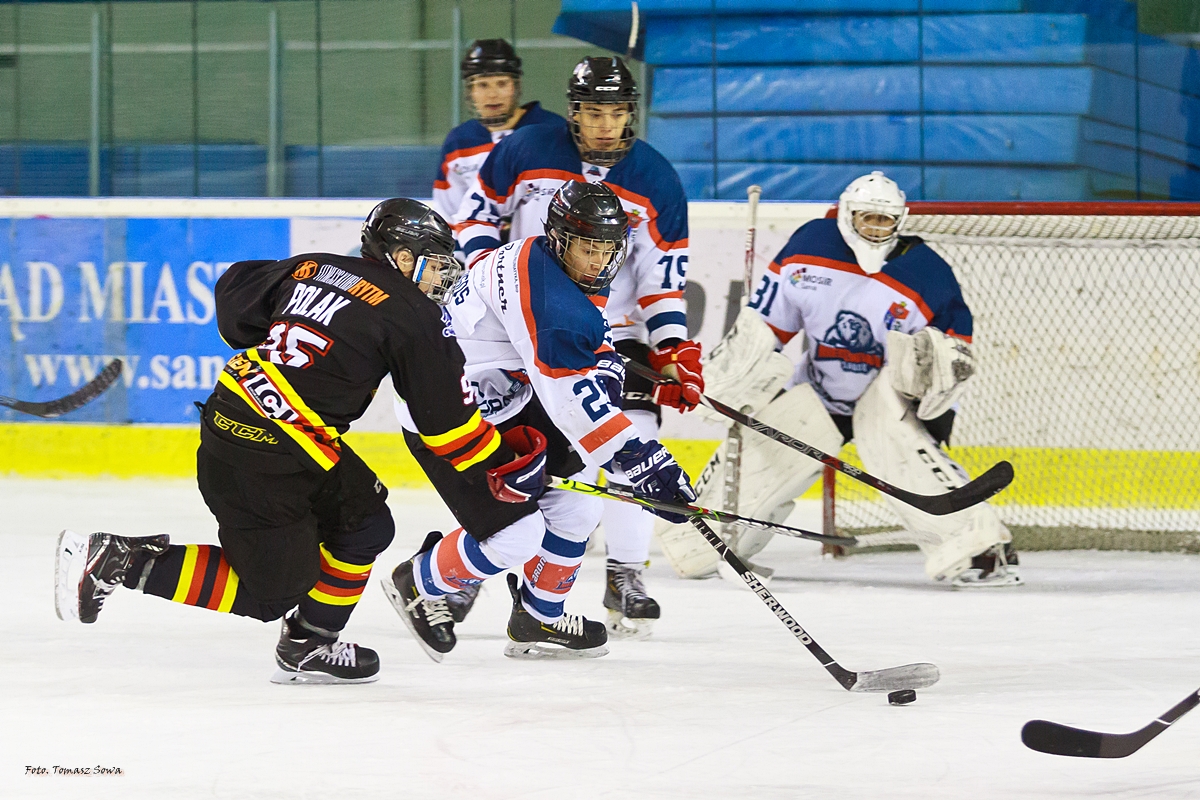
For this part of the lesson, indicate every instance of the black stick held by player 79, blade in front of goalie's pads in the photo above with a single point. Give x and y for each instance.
(974, 494)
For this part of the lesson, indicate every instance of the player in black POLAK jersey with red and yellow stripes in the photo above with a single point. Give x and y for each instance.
(301, 516)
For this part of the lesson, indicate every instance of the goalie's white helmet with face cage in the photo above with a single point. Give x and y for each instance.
(871, 213)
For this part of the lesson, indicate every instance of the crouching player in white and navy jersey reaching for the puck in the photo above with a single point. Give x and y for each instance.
(539, 362)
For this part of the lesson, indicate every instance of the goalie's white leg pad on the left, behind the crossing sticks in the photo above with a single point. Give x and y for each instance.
(772, 476)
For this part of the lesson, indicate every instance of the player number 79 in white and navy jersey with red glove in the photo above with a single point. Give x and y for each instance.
(646, 308)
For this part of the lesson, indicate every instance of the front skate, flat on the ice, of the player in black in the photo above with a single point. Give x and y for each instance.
(307, 655)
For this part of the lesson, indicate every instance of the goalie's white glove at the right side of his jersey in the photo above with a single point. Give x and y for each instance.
(932, 368)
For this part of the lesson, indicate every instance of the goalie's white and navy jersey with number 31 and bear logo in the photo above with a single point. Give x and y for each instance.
(815, 285)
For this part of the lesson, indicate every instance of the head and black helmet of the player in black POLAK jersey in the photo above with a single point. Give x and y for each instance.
(412, 238)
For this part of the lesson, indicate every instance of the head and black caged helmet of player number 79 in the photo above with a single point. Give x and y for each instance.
(603, 109)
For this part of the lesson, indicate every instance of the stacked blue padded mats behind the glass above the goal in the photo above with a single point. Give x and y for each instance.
(967, 101)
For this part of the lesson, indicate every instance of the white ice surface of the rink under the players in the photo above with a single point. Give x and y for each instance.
(722, 702)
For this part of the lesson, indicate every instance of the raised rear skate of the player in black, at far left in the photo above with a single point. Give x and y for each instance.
(88, 570)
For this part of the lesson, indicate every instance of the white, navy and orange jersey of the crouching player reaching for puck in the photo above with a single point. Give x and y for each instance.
(527, 330)
